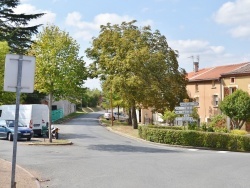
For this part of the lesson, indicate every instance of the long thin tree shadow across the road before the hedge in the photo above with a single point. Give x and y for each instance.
(128, 148)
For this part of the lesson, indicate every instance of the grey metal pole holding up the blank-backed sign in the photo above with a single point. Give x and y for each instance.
(18, 92)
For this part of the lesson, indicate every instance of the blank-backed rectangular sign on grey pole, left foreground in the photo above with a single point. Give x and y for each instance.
(18, 77)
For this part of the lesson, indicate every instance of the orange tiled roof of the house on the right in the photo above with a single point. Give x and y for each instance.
(214, 73)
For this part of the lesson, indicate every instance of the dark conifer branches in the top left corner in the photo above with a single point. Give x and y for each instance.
(14, 27)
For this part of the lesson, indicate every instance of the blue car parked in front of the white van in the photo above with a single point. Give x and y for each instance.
(7, 130)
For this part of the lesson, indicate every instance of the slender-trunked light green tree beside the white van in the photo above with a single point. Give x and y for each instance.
(60, 72)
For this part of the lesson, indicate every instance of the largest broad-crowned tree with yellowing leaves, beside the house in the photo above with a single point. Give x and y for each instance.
(139, 65)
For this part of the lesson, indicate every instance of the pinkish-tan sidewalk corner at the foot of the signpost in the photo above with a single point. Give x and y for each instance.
(22, 177)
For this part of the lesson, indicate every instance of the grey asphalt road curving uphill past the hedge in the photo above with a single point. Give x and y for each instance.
(102, 159)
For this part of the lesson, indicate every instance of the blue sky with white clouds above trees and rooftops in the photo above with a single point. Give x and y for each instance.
(213, 32)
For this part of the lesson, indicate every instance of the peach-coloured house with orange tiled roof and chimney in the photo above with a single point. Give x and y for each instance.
(208, 86)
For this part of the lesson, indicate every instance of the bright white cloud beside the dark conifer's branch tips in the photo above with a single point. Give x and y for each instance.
(49, 17)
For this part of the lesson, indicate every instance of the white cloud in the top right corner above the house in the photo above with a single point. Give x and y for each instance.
(236, 15)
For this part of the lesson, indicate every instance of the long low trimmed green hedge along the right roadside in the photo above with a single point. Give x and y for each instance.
(222, 141)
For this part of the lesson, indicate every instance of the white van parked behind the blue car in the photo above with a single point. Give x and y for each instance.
(32, 115)
